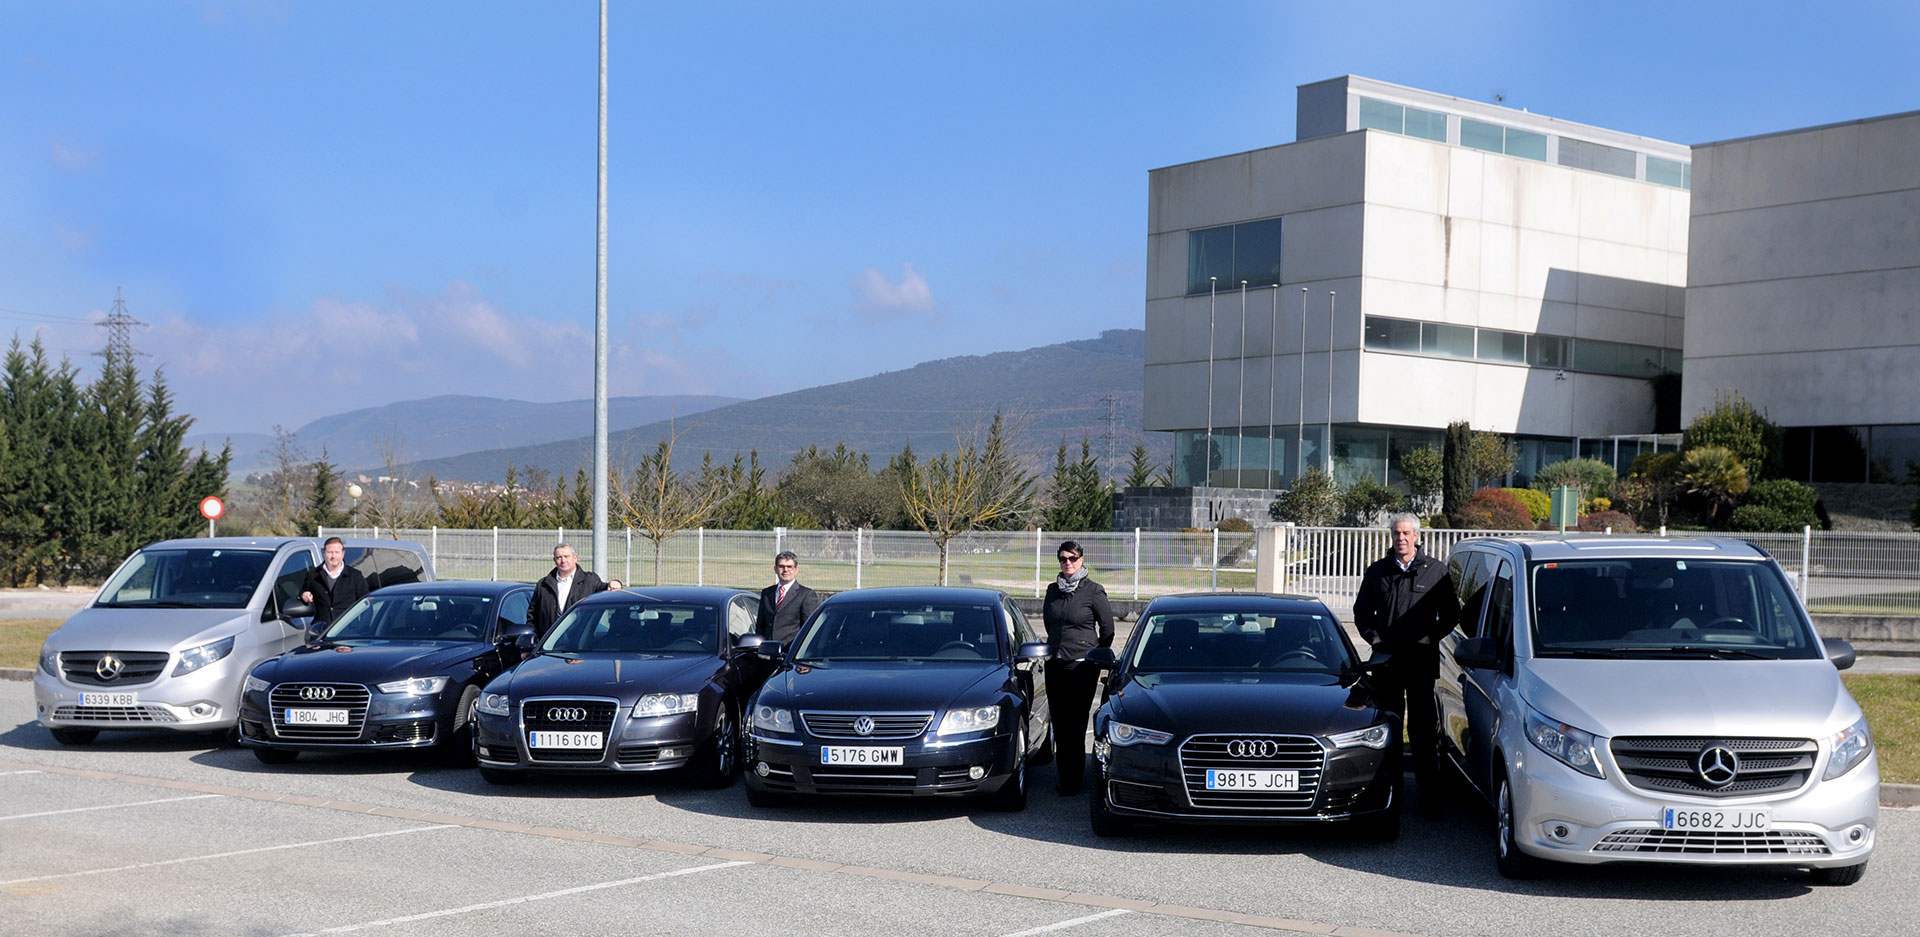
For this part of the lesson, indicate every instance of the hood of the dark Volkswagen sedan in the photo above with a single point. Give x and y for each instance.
(882, 686)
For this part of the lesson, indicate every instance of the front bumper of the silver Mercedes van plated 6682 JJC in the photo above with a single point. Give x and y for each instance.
(1570, 817)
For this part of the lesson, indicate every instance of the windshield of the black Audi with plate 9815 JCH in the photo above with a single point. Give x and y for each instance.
(1241, 642)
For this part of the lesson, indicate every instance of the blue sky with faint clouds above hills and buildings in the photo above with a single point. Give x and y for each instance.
(322, 206)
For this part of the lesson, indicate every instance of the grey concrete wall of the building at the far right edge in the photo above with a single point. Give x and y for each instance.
(1804, 289)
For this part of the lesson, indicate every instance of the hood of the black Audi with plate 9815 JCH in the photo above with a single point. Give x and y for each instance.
(1226, 702)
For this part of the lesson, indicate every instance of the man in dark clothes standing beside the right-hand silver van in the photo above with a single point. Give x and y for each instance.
(1406, 604)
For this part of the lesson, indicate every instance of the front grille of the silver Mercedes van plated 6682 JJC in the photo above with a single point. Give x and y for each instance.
(1671, 765)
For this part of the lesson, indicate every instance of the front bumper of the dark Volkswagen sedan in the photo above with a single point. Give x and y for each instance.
(930, 769)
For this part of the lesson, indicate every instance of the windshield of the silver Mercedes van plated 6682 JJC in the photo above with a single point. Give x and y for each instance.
(1668, 610)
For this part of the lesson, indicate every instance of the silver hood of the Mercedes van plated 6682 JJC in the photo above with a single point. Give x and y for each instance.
(1691, 698)
